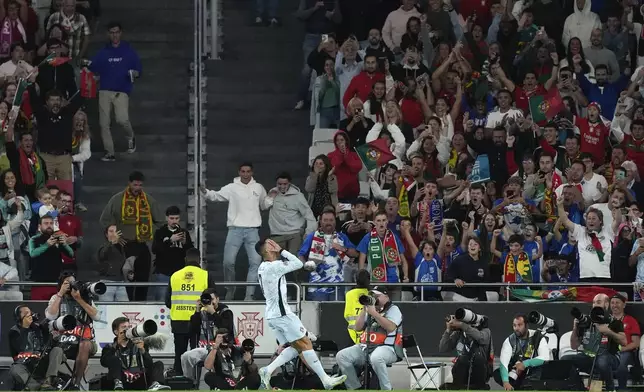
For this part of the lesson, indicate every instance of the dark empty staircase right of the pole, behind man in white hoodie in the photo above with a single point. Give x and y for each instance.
(251, 94)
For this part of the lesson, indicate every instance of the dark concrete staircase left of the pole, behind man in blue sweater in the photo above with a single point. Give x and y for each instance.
(161, 31)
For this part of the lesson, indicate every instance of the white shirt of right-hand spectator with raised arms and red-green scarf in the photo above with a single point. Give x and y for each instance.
(589, 264)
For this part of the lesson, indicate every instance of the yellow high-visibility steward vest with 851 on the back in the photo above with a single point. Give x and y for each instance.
(186, 285)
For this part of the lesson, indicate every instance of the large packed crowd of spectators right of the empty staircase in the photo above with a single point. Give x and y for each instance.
(549, 91)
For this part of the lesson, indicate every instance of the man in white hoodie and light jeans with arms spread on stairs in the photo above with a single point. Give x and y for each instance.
(245, 198)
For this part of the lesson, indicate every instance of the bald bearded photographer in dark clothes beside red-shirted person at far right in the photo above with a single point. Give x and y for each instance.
(601, 336)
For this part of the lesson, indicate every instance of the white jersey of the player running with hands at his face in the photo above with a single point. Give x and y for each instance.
(273, 283)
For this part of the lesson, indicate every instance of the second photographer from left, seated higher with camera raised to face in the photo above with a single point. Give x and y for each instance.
(74, 298)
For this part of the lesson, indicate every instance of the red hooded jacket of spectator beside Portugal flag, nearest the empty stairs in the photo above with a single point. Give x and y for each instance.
(347, 166)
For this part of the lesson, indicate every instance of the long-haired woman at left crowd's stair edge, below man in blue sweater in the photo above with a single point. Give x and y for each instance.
(81, 151)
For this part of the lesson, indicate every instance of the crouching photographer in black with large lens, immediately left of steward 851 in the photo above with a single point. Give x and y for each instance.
(129, 365)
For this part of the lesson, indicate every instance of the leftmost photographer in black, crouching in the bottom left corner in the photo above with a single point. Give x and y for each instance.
(27, 343)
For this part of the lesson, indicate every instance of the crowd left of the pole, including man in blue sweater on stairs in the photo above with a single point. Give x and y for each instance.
(47, 76)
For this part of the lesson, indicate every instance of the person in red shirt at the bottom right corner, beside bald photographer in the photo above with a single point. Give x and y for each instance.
(627, 355)
